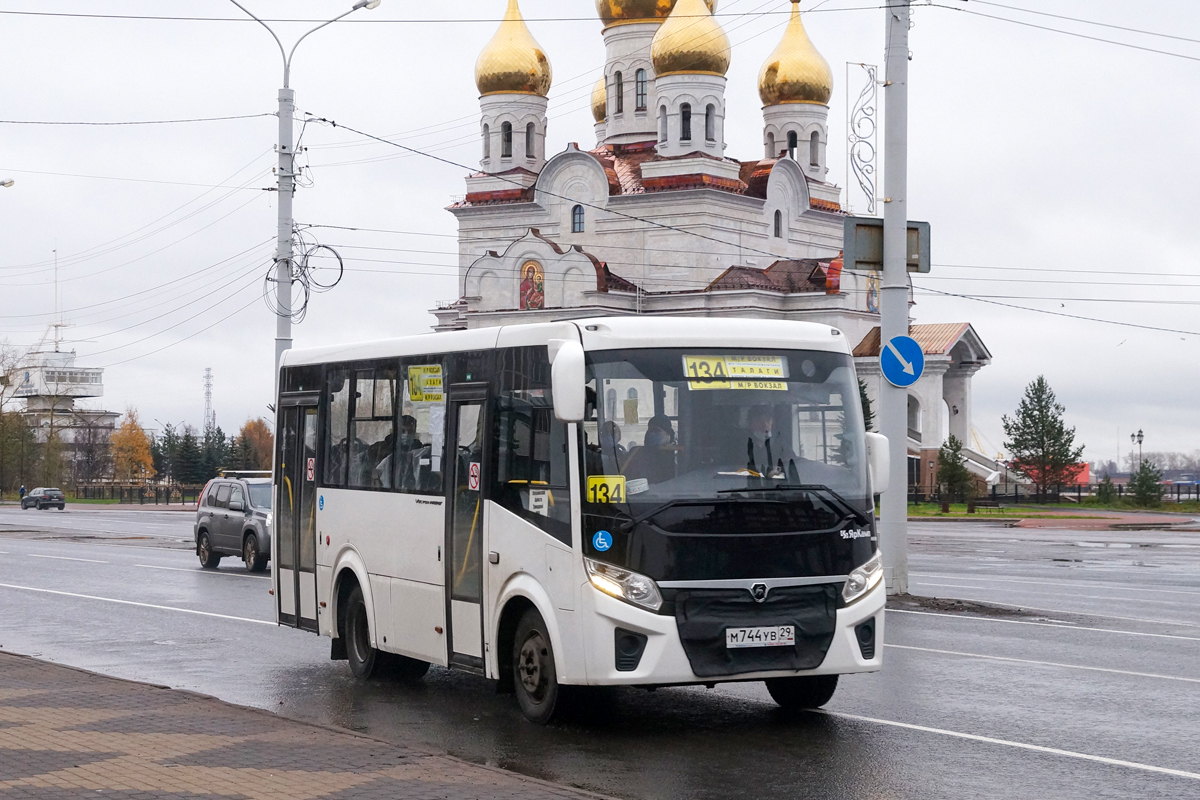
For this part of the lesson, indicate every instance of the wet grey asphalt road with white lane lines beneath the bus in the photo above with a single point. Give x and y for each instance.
(1093, 691)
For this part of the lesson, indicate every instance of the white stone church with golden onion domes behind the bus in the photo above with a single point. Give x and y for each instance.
(658, 219)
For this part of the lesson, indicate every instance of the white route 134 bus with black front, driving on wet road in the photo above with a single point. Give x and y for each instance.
(628, 501)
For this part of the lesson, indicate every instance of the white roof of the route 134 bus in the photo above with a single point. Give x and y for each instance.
(596, 334)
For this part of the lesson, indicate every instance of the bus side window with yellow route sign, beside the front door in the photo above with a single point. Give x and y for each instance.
(421, 436)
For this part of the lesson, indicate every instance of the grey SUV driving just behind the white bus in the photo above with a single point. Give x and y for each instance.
(233, 518)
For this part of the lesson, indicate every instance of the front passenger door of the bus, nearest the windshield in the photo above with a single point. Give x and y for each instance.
(465, 526)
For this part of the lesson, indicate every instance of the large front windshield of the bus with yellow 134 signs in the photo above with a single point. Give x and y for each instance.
(715, 424)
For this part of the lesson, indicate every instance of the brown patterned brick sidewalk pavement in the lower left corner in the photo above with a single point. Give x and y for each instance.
(68, 733)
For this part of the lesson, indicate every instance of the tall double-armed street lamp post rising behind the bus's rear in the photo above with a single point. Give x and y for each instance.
(287, 185)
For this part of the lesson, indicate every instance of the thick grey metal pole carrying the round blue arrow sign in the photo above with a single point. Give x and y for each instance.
(895, 293)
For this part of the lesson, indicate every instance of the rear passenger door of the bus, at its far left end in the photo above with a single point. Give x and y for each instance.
(295, 538)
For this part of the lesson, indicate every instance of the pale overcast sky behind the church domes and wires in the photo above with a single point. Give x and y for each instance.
(1059, 173)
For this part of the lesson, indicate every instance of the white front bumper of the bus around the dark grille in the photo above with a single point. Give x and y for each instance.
(664, 660)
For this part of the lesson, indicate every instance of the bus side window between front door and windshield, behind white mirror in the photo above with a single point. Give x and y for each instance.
(531, 474)
